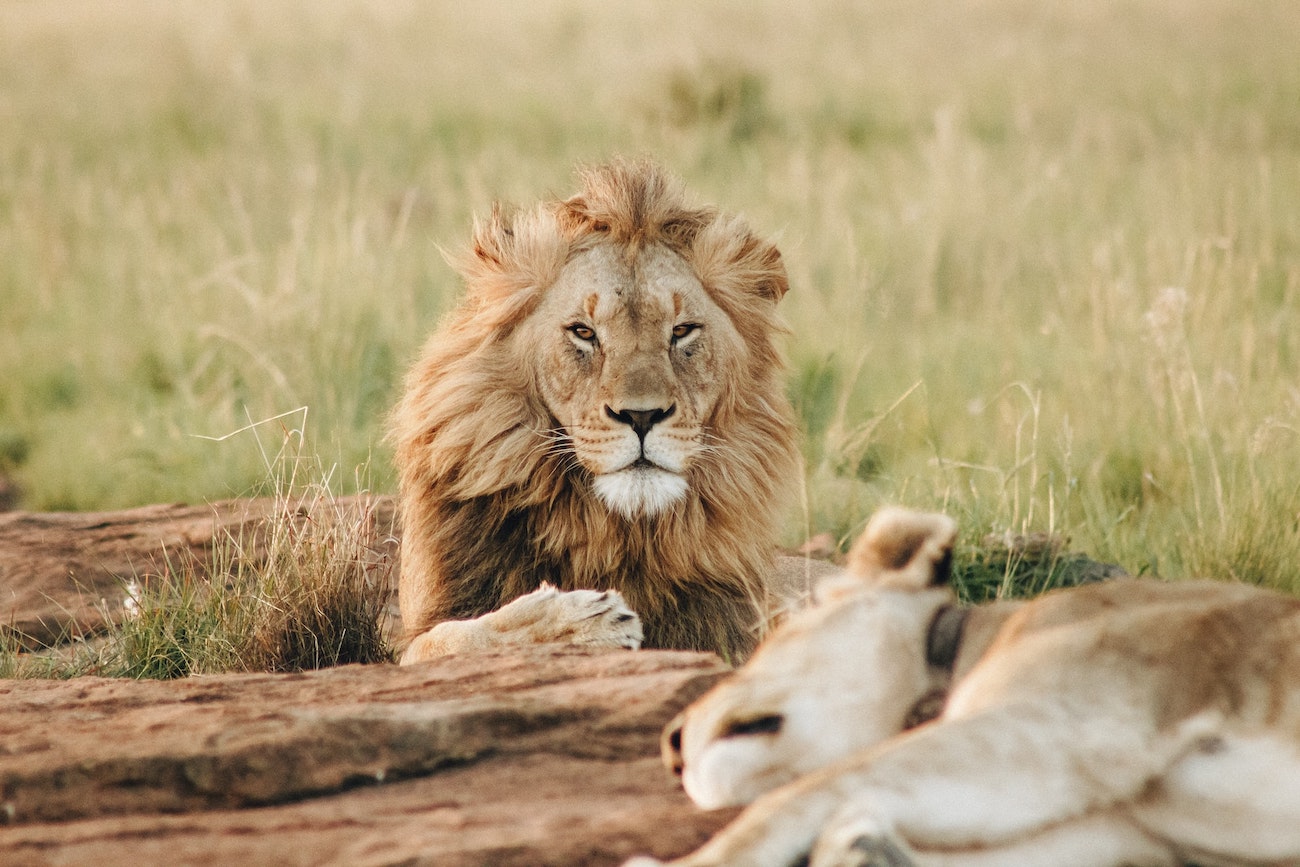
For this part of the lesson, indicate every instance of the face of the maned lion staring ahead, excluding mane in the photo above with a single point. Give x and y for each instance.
(635, 356)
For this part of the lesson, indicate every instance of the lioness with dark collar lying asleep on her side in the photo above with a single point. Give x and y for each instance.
(1121, 723)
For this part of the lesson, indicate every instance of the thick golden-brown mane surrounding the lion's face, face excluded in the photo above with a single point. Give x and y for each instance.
(491, 509)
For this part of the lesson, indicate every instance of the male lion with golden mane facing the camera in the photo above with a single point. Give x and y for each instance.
(601, 421)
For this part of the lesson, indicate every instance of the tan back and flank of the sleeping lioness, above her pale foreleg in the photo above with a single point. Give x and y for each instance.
(1184, 647)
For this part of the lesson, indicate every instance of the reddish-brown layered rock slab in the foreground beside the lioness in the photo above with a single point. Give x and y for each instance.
(543, 757)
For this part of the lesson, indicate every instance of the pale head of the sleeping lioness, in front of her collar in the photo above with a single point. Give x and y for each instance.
(835, 679)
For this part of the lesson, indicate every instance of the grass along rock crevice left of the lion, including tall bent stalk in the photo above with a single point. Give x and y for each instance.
(307, 587)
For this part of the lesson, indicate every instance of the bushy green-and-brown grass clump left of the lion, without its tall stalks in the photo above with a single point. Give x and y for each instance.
(309, 589)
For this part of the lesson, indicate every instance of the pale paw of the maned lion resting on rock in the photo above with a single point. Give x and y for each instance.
(588, 618)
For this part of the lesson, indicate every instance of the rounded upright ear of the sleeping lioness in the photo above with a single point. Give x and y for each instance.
(905, 550)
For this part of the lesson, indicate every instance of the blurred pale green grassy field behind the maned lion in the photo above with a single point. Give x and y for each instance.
(1046, 258)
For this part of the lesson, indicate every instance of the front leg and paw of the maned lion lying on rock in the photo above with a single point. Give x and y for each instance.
(547, 615)
